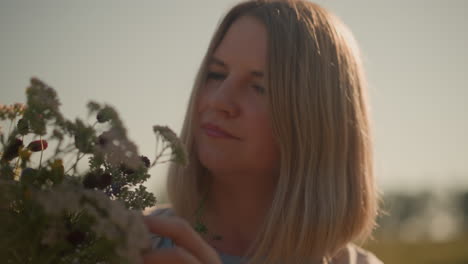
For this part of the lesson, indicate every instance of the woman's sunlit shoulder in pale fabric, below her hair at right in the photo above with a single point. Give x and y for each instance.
(353, 254)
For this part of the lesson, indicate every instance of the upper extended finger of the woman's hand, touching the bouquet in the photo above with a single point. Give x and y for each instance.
(181, 233)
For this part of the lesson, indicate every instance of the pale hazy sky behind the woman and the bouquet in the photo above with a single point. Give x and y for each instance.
(141, 57)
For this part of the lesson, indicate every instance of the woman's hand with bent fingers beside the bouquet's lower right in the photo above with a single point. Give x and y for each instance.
(190, 247)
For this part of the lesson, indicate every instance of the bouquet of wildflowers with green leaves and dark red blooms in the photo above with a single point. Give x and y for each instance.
(50, 212)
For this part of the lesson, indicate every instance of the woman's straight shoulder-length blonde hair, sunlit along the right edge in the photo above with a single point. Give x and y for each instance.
(325, 195)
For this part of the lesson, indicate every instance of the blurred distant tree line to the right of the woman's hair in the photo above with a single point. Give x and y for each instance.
(424, 216)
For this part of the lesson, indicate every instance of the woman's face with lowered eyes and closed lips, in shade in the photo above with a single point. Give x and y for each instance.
(233, 131)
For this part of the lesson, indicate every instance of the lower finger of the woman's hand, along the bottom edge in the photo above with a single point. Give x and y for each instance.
(175, 255)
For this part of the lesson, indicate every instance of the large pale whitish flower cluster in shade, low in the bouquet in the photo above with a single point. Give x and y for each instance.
(126, 227)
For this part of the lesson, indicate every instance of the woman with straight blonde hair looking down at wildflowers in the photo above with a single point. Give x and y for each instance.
(278, 136)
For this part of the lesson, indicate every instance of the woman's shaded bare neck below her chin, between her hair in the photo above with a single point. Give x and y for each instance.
(235, 211)
